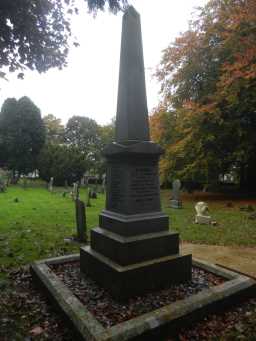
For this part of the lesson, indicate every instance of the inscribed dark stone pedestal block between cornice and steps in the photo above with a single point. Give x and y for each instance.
(133, 185)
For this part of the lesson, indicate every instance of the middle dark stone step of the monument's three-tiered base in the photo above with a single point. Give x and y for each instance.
(129, 250)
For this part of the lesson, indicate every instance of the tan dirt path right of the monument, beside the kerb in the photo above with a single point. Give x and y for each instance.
(240, 258)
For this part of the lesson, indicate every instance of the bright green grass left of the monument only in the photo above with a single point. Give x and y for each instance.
(36, 225)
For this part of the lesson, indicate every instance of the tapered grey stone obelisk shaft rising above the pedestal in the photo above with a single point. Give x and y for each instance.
(132, 113)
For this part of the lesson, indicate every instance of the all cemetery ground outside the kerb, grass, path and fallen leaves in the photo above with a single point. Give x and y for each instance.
(35, 222)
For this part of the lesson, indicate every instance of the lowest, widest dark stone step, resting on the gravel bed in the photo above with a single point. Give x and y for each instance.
(126, 281)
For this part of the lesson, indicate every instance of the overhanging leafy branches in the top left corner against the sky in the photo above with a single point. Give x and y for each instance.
(35, 34)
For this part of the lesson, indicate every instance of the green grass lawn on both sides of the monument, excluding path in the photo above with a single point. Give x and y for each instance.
(36, 225)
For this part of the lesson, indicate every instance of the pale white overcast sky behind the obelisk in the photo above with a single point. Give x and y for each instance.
(88, 86)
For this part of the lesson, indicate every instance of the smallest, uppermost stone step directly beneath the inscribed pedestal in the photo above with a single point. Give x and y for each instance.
(135, 224)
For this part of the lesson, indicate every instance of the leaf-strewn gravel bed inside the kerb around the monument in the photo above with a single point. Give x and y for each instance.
(110, 312)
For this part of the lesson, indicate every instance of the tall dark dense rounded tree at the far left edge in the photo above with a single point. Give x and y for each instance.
(22, 134)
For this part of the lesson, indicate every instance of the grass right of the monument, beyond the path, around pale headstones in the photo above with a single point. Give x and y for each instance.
(233, 225)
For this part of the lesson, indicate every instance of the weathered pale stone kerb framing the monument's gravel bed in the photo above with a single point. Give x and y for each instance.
(172, 316)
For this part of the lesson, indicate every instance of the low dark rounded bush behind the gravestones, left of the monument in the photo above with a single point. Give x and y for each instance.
(64, 163)
